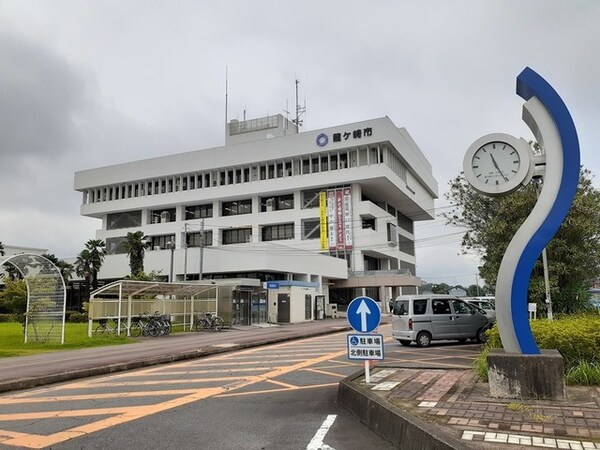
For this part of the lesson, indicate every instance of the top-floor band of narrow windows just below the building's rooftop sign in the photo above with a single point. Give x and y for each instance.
(323, 162)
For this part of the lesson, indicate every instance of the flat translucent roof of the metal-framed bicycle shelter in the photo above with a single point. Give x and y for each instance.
(126, 288)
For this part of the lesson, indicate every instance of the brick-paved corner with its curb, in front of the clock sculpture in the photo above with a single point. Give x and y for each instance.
(452, 409)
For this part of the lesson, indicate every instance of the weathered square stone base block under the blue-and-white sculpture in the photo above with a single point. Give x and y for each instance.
(514, 375)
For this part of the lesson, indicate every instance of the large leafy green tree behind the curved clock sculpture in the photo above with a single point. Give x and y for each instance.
(573, 253)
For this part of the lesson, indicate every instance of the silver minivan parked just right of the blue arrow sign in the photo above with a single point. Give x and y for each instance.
(426, 318)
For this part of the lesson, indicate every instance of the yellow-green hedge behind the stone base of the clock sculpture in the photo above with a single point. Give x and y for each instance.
(576, 337)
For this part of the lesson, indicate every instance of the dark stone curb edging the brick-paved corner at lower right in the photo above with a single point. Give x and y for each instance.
(401, 429)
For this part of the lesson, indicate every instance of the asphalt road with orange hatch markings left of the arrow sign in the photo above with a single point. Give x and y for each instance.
(279, 396)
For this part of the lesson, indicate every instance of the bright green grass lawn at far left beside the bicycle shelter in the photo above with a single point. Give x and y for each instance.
(11, 340)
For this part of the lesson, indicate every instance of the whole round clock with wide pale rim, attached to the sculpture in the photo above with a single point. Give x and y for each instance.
(498, 163)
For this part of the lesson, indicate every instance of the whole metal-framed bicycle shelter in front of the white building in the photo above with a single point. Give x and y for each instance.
(124, 299)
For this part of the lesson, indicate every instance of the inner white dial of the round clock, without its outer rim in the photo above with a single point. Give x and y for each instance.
(495, 163)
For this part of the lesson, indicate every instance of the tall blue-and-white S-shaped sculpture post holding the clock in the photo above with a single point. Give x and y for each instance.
(547, 116)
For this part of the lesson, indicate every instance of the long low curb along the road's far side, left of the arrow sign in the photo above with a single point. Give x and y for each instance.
(27, 383)
